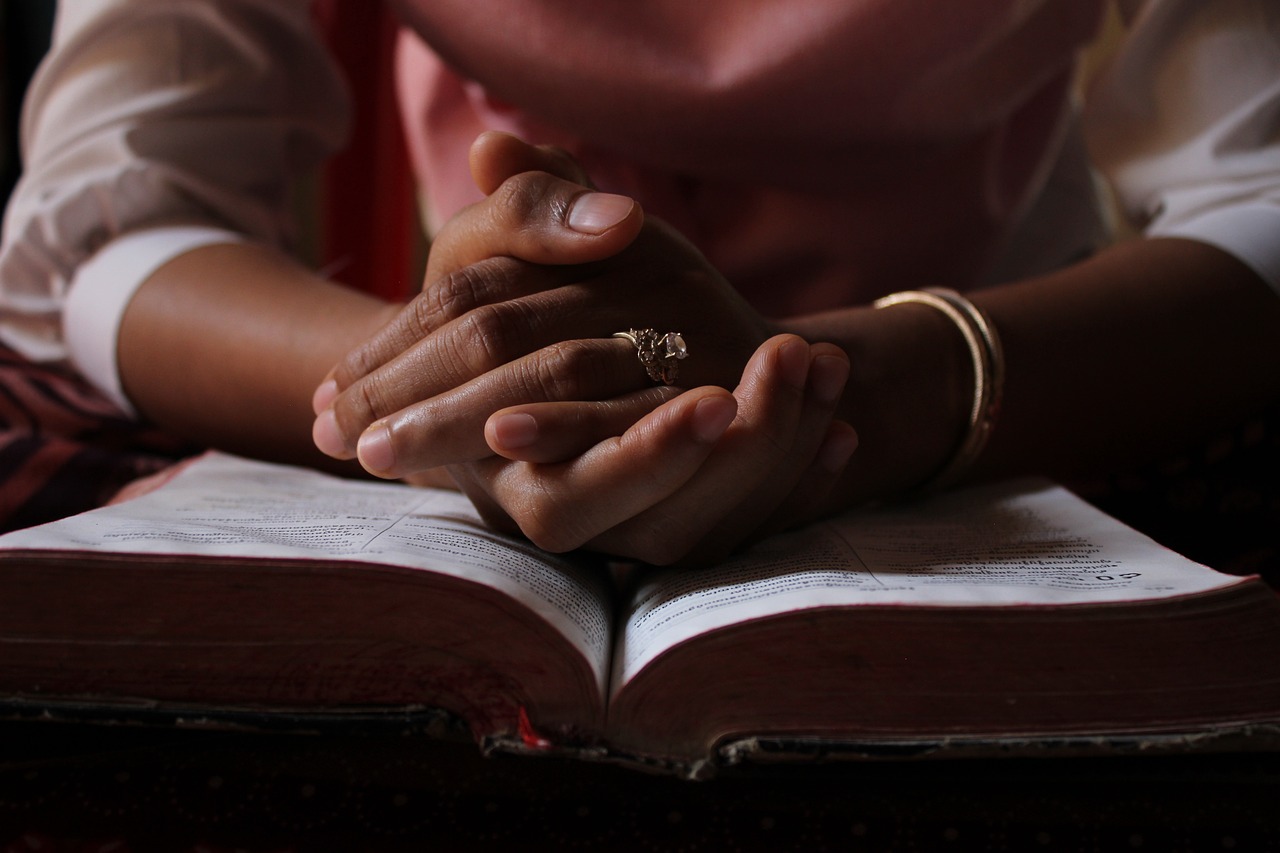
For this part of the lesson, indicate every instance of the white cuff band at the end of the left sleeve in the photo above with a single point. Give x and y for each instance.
(102, 291)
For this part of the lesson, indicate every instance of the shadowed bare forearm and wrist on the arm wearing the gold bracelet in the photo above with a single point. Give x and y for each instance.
(1112, 363)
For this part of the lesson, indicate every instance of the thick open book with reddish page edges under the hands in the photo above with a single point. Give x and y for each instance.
(990, 618)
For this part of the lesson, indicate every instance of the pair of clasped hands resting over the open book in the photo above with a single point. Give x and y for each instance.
(504, 373)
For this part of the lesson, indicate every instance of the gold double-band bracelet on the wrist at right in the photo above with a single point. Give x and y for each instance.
(989, 375)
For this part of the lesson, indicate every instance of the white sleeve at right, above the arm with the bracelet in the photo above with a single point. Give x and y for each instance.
(1186, 124)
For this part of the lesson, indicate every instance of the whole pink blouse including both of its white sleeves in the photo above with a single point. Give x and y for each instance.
(820, 152)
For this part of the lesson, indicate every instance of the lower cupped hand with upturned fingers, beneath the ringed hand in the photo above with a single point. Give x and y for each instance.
(688, 483)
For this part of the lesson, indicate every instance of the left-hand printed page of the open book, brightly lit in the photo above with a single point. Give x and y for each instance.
(232, 508)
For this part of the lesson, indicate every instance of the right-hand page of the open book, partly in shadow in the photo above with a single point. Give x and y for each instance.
(1012, 545)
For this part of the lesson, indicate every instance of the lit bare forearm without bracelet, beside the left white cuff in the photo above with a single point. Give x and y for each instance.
(226, 345)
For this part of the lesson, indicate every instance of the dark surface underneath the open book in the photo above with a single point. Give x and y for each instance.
(126, 790)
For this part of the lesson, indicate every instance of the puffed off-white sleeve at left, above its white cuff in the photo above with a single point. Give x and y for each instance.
(150, 113)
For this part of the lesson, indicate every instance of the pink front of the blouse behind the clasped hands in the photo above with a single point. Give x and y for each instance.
(819, 152)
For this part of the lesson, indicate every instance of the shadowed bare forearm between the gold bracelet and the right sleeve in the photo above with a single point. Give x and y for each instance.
(1132, 358)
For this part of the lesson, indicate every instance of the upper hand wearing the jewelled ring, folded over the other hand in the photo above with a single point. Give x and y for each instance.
(527, 277)
